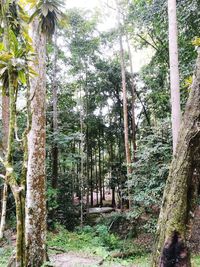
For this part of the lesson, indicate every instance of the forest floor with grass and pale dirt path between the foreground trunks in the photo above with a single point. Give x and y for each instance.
(71, 249)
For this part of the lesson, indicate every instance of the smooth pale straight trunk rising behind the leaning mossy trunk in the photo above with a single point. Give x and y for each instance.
(174, 71)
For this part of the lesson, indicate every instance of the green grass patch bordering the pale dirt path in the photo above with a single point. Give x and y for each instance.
(96, 242)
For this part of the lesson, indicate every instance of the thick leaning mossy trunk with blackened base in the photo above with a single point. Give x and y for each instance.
(181, 188)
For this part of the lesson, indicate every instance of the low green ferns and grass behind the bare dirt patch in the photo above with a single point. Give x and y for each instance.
(95, 241)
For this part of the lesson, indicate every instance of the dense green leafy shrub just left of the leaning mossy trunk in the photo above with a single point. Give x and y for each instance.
(151, 167)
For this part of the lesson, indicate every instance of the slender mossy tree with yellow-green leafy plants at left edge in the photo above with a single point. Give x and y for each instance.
(13, 75)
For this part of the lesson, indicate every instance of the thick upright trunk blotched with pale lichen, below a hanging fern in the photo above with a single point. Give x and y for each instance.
(36, 179)
